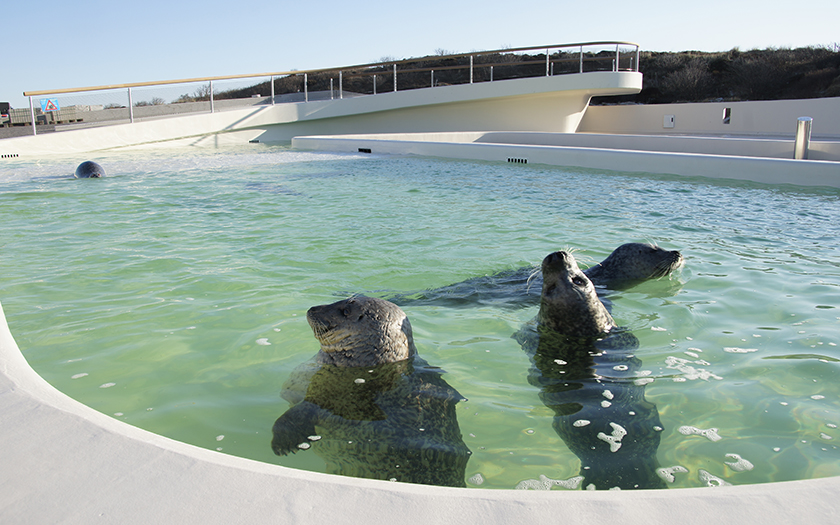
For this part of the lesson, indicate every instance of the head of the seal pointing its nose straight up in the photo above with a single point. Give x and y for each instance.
(569, 304)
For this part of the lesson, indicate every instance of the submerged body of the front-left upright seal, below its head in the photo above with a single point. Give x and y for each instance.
(393, 421)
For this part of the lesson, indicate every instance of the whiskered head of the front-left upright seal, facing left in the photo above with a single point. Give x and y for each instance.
(361, 331)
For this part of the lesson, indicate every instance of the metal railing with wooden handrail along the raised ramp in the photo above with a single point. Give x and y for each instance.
(97, 105)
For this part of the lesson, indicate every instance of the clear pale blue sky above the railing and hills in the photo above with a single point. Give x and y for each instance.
(54, 44)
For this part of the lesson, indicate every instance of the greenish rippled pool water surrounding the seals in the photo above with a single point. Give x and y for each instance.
(171, 295)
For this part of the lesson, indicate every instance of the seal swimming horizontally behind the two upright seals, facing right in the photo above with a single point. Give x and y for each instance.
(627, 266)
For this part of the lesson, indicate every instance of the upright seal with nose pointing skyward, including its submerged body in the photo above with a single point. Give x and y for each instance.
(585, 367)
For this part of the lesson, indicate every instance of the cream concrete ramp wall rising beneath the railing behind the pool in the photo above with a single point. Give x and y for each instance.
(551, 103)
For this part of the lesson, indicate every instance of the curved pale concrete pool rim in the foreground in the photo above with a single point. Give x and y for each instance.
(65, 462)
